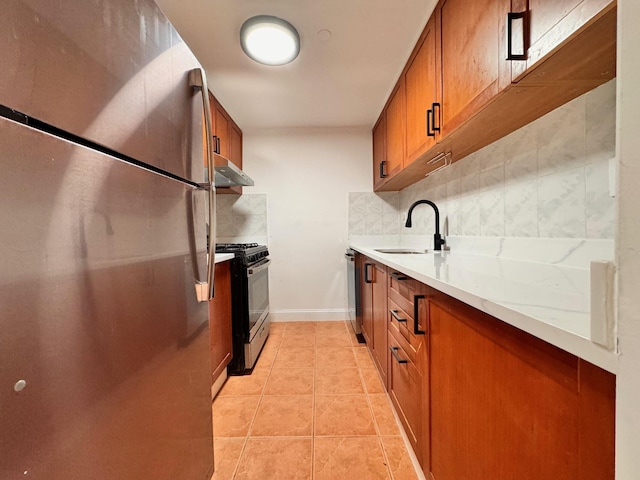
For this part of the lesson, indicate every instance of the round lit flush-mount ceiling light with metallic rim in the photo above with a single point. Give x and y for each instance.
(269, 40)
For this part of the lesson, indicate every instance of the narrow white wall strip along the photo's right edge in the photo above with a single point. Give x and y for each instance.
(628, 243)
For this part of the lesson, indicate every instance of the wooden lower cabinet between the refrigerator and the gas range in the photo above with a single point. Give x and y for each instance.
(220, 321)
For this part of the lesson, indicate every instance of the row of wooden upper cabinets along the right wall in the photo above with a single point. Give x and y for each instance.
(482, 95)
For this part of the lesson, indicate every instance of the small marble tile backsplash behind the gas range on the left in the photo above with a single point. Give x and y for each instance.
(241, 218)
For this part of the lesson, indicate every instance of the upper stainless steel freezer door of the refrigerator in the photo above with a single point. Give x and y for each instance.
(111, 71)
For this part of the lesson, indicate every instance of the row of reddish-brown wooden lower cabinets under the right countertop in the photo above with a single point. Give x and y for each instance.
(480, 399)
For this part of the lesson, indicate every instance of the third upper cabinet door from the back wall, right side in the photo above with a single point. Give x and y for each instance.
(421, 94)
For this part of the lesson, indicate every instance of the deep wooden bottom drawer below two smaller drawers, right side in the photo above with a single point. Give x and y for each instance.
(405, 389)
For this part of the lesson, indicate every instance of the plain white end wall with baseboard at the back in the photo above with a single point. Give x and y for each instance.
(307, 175)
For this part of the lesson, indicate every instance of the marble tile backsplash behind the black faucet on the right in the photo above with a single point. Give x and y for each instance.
(550, 179)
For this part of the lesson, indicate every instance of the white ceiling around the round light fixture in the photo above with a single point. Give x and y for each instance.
(344, 81)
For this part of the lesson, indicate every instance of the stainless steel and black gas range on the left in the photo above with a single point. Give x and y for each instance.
(249, 303)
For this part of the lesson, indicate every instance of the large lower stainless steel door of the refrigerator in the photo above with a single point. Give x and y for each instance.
(104, 350)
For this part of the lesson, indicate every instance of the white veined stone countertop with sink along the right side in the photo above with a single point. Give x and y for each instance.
(549, 301)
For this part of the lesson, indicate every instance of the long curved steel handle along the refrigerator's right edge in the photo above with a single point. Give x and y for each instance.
(198, 81)
